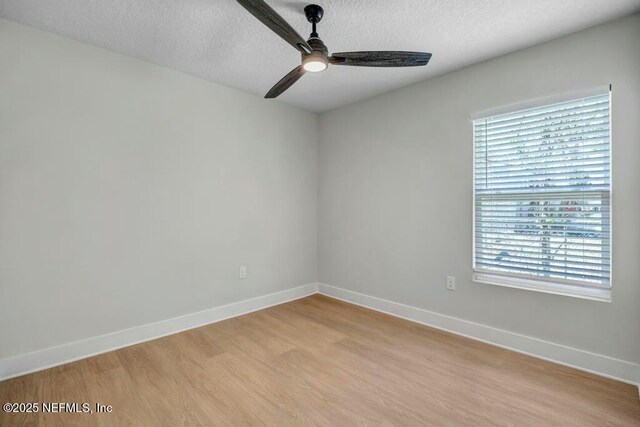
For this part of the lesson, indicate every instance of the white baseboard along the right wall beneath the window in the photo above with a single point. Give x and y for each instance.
(598, 364)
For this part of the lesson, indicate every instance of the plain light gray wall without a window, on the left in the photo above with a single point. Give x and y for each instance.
(130, 193)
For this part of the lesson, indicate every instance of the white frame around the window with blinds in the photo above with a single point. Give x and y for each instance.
(554, 286)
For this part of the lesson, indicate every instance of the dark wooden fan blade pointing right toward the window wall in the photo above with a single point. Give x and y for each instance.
(381, 59)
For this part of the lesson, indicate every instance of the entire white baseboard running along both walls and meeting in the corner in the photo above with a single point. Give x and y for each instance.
(591, 362)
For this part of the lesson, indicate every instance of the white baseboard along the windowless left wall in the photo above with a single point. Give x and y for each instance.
(42, 359)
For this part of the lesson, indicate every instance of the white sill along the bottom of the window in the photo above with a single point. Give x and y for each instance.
(546, 287)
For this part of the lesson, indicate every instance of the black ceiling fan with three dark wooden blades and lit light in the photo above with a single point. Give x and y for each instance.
(315, 55)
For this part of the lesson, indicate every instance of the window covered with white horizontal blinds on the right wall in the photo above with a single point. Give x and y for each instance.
(542, 196)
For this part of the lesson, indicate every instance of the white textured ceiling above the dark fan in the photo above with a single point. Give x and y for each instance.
(219, 41)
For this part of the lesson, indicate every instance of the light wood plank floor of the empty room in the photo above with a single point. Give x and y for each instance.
(323, 362)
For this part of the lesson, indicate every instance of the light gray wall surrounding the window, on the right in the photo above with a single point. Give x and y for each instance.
(395, 186)
